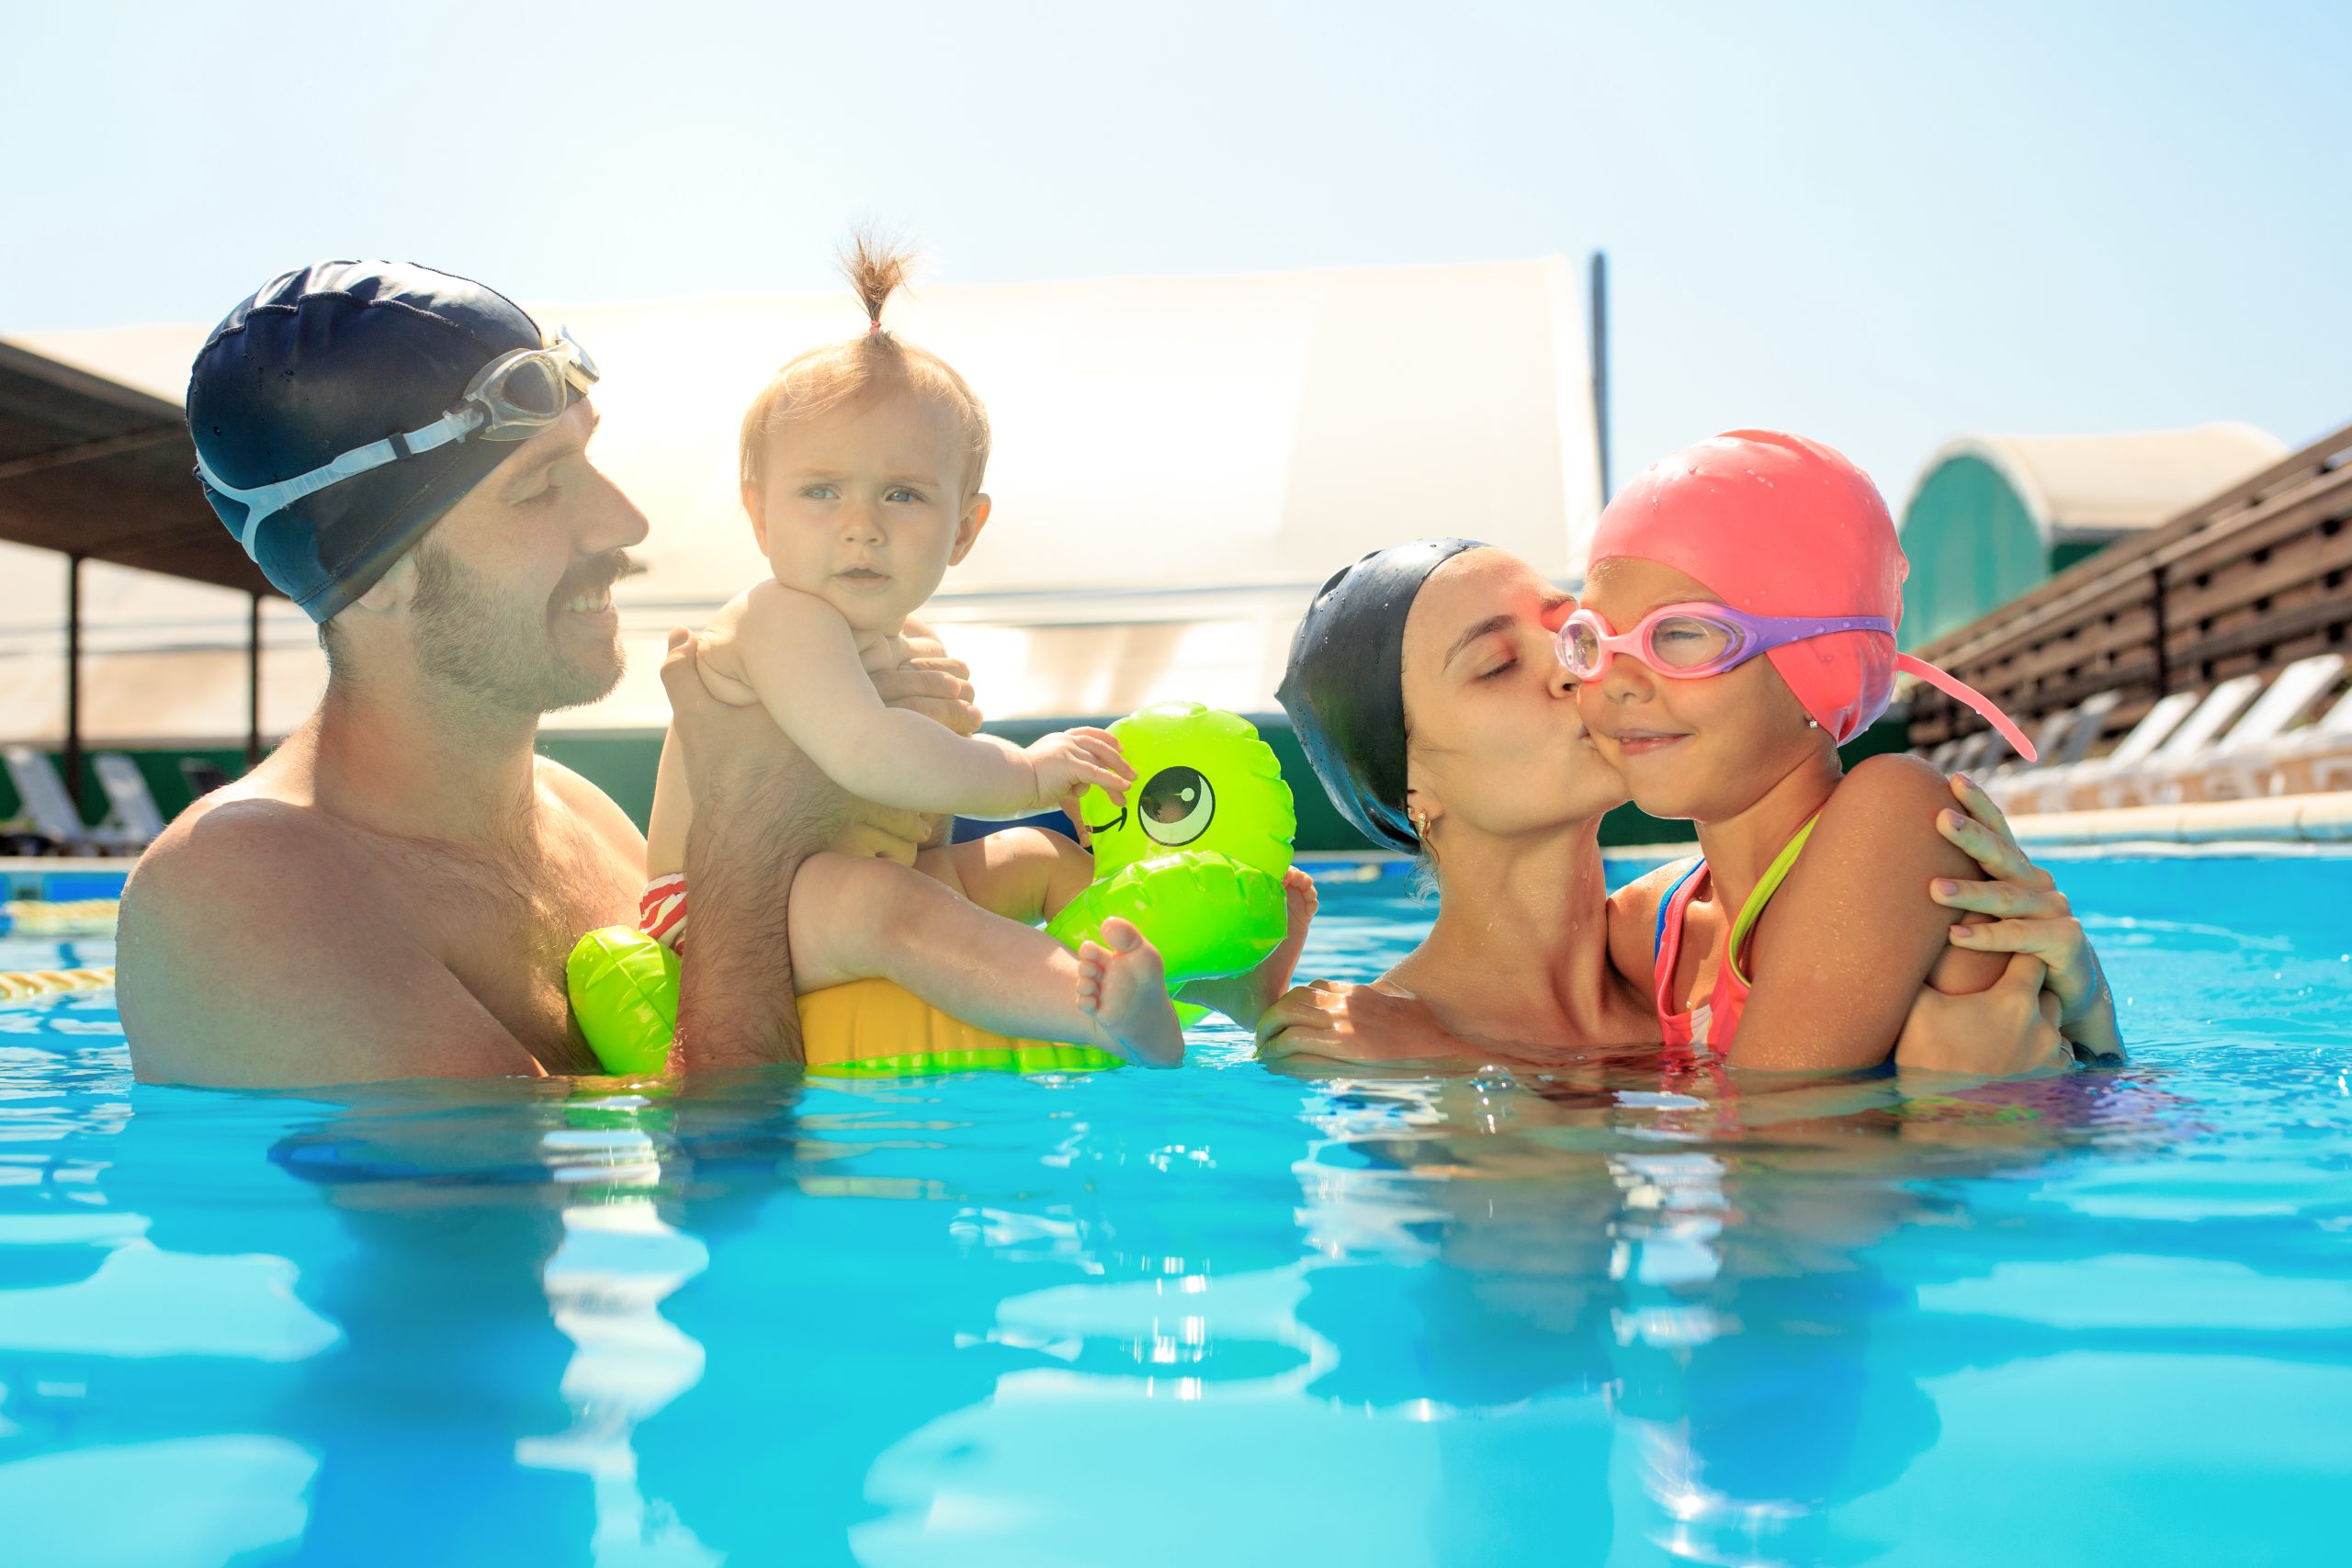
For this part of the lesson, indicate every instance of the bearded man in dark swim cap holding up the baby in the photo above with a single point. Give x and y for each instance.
(396, 887)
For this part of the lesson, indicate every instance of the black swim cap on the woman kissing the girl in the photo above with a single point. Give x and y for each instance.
(1347, 685)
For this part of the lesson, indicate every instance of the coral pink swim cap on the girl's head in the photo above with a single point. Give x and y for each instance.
(1779, 525)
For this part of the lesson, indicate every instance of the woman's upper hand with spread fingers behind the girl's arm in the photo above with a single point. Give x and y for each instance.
(2029, 918)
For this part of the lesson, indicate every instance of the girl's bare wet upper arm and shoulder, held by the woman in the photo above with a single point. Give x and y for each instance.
(1852, 937)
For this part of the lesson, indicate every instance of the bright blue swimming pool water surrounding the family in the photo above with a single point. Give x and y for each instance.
(1222, 1315)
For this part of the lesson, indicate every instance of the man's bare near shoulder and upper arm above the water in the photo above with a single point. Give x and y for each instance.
(246, 960)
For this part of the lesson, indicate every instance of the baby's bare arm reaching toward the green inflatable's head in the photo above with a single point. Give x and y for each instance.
(803, 664)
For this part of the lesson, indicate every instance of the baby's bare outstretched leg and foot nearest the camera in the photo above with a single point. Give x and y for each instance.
(871, 920)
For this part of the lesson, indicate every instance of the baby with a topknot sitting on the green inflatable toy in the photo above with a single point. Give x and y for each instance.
(862, 474)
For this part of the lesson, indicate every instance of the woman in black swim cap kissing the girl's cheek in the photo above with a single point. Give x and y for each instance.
(1431, 704)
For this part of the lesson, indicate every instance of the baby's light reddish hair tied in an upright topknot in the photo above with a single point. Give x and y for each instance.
(876, 361)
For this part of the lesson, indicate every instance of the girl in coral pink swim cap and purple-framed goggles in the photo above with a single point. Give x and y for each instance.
(1805, 930)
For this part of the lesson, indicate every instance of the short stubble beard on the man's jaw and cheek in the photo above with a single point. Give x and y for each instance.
(502, 652)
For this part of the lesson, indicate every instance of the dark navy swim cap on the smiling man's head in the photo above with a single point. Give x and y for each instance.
(326, 361)
